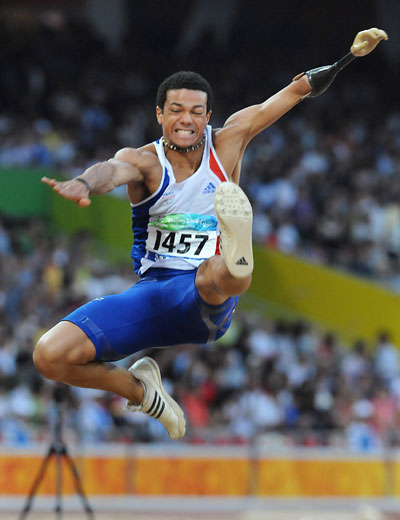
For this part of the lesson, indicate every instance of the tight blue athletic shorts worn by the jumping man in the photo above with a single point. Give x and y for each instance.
(163, 308)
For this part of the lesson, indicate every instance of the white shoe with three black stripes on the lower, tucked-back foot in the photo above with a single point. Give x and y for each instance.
(156, 402)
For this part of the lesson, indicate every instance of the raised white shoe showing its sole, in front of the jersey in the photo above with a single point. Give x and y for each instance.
(235, 219)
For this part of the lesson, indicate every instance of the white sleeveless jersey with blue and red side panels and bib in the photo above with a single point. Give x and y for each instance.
(176, 227)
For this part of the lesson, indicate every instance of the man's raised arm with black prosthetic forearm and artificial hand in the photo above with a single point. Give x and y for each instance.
(242, 126)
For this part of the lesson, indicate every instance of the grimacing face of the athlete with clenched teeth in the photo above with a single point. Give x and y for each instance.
(184, 116)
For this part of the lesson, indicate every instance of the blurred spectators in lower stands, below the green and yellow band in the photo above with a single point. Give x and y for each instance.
(281, 381)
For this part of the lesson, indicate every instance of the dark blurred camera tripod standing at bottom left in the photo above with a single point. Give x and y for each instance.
(59, 451)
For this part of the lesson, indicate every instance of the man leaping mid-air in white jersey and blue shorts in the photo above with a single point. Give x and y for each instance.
(192, 240)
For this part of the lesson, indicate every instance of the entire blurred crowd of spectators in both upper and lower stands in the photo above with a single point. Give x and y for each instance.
(324, 184)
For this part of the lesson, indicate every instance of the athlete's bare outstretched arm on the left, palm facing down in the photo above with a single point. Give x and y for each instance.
(127, 166)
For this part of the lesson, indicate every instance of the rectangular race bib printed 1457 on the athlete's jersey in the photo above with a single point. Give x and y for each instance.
(183, 235)
